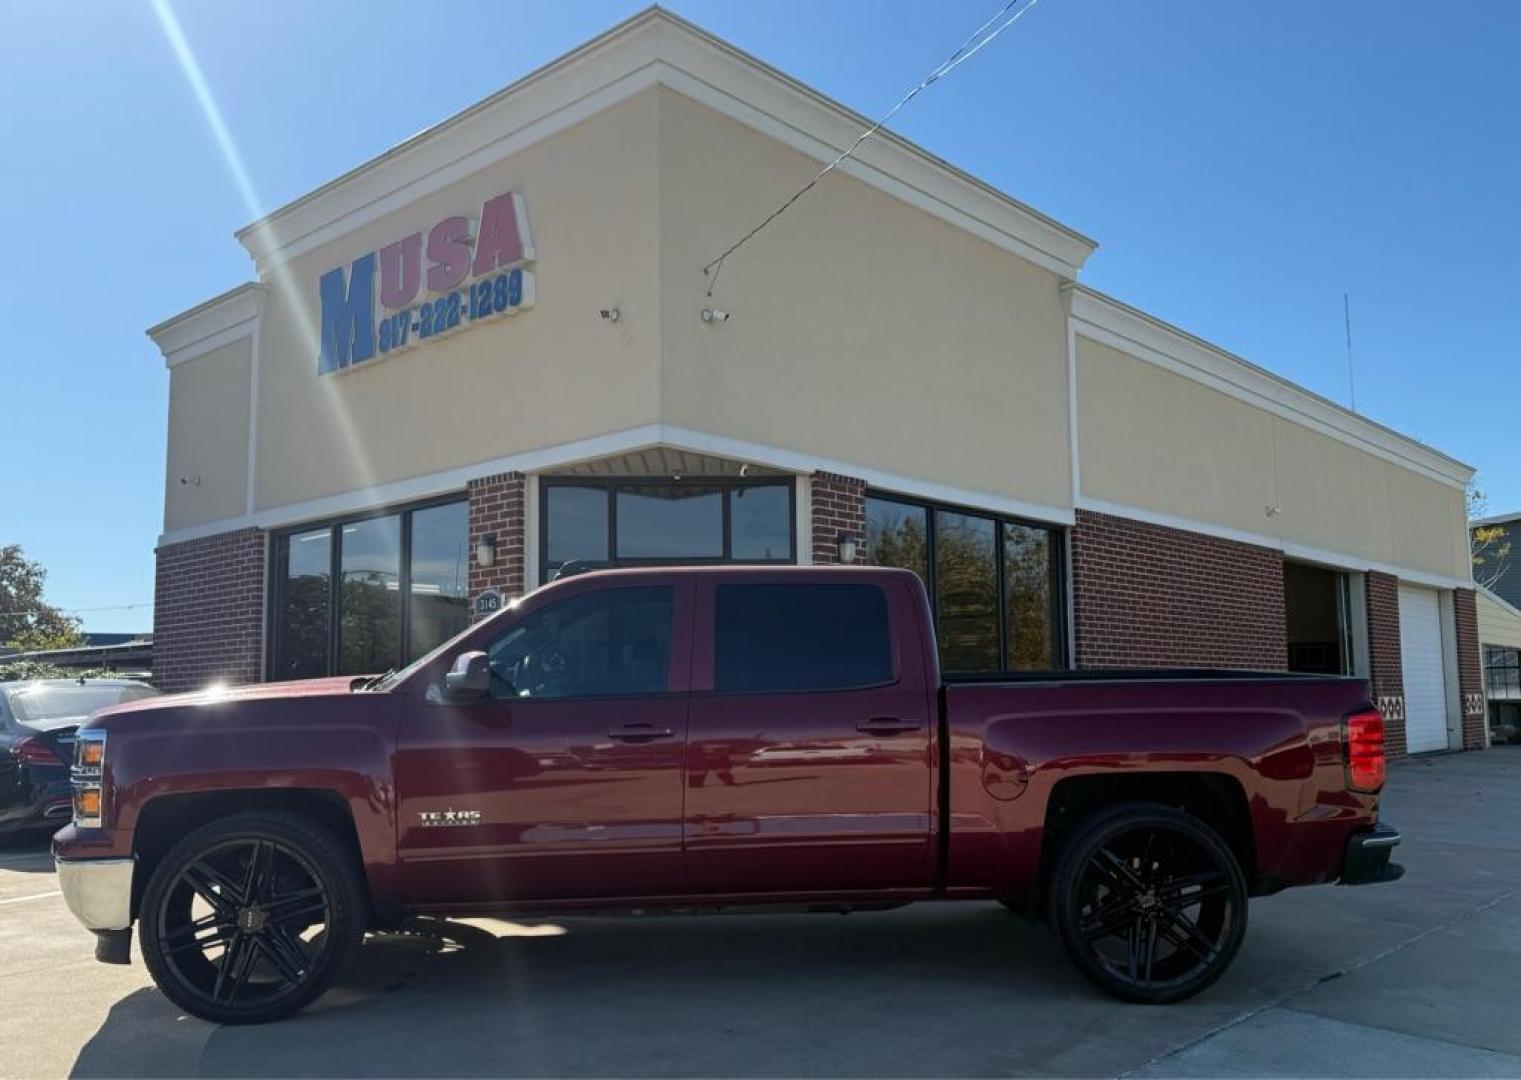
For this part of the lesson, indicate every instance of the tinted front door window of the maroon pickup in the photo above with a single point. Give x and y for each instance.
(615, 643)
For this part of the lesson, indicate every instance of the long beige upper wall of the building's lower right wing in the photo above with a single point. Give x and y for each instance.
(1164, 443)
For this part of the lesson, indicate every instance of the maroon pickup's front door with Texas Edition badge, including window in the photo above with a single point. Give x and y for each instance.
(567, 781)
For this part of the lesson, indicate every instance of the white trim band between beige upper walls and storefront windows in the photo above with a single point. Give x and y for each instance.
(603, 446)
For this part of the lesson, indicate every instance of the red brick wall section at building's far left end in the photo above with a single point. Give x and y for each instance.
(209, 602)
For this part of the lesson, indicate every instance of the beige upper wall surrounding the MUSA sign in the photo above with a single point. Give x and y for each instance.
(545, 376)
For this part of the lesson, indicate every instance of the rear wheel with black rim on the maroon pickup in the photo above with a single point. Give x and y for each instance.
(1151, 903)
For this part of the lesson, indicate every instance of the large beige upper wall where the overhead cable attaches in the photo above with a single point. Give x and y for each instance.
(862, 331)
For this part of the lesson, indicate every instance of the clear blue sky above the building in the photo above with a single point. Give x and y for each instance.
(1240, 165)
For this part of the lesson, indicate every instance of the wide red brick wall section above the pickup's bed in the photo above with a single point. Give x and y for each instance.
(1155, 597)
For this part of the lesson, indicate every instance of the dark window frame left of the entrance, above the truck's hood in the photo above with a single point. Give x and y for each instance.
(281, 561)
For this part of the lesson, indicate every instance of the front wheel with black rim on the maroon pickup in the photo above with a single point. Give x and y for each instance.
(252, 918)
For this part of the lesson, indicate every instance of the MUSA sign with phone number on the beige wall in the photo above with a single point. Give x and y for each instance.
(427, 285)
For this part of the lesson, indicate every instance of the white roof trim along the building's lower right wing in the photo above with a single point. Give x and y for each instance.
(1134, 332)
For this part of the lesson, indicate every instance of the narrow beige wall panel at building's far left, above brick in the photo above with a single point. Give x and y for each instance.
(209, 437)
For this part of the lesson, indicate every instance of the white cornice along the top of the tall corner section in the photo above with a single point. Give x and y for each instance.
(656, 48)
